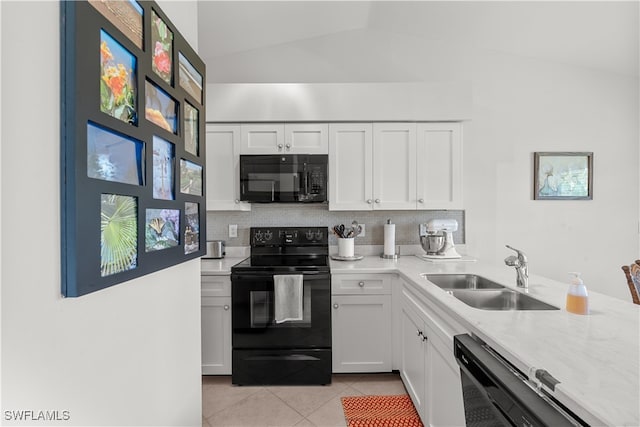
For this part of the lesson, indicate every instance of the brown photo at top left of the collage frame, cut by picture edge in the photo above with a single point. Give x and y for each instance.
(126, 16)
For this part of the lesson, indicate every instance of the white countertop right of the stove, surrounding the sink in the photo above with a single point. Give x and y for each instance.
(595, 357)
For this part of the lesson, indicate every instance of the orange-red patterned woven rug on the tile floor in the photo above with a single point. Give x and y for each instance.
(379, 411)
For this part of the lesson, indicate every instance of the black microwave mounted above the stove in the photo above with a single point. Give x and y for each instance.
(283, 178)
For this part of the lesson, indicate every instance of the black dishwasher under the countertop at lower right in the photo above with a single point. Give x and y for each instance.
(496, 393)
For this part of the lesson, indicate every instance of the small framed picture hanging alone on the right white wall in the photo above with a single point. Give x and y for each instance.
(563, 176)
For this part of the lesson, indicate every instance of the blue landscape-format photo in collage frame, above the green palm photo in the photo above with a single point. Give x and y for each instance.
(114, 157)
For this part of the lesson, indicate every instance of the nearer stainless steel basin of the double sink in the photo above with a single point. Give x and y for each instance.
(504, 299)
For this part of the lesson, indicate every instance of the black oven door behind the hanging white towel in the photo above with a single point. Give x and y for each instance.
(253, 317)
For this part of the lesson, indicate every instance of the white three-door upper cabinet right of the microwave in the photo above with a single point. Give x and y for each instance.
(395, 166)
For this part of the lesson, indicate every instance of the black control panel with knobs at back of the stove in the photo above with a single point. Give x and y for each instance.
(288, 236)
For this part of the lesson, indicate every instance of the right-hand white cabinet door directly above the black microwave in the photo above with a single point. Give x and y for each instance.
(306, 138)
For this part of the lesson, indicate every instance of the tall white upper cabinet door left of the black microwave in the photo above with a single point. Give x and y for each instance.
(223, 168)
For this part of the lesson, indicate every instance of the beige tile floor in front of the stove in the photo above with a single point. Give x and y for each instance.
(224, 404)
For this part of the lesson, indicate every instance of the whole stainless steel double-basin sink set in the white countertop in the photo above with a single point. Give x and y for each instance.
(482, 293)
